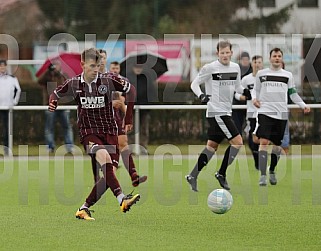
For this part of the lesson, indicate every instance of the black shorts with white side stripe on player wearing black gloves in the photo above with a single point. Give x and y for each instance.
(221, 127)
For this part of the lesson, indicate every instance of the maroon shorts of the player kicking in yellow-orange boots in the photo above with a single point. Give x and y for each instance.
(93, 142)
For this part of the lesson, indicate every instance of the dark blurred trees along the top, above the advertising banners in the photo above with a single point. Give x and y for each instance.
(154, 17)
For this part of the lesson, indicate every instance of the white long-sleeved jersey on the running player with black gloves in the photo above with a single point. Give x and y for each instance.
(221, 81)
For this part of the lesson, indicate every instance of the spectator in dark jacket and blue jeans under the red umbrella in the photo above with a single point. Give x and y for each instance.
(52, 78)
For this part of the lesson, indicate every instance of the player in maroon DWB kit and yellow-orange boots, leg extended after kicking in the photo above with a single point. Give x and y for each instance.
(92, 92)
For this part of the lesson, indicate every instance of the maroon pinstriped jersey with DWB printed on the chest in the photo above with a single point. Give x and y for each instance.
(95, 111)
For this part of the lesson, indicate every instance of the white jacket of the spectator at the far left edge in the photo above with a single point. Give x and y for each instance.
(9, 90)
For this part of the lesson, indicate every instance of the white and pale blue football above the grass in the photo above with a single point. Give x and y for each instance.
(220, 201)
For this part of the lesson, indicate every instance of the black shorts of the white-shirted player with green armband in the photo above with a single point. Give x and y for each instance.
(270, 128)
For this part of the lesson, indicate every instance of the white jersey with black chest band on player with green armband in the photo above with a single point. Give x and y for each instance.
(271, 89)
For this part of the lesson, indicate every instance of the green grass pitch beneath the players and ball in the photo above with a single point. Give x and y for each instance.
(39, 200)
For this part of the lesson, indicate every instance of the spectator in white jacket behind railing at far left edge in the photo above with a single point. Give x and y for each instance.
(9, 96)
